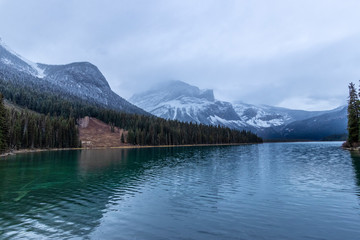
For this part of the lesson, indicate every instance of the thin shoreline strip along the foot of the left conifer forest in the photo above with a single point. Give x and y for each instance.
(21, 151)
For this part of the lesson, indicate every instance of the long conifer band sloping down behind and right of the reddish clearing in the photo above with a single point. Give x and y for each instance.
(142, 130)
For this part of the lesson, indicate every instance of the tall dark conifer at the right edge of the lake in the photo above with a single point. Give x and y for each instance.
(353, 115)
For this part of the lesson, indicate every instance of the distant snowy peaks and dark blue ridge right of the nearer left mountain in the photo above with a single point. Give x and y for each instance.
(181, 101)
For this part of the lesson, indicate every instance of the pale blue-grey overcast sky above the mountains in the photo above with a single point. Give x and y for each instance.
(295, 54)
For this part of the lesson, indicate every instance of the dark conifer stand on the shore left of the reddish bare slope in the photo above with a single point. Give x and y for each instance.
(23, 129)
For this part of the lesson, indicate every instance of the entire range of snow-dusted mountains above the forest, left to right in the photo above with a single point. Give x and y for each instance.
(173, 100)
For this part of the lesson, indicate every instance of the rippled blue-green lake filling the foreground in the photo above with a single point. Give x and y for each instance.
(265, 191)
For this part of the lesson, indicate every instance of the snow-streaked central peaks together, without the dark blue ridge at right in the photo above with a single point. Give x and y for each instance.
(181, 101)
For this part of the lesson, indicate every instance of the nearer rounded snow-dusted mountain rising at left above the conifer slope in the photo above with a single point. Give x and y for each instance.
(81, 79)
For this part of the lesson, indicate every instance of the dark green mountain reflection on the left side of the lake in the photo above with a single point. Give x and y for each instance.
(68, 192)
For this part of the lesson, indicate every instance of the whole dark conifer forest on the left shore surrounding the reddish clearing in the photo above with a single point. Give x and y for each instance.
(55, 126)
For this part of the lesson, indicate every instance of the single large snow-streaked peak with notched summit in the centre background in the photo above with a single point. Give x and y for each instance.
(180, 101)
